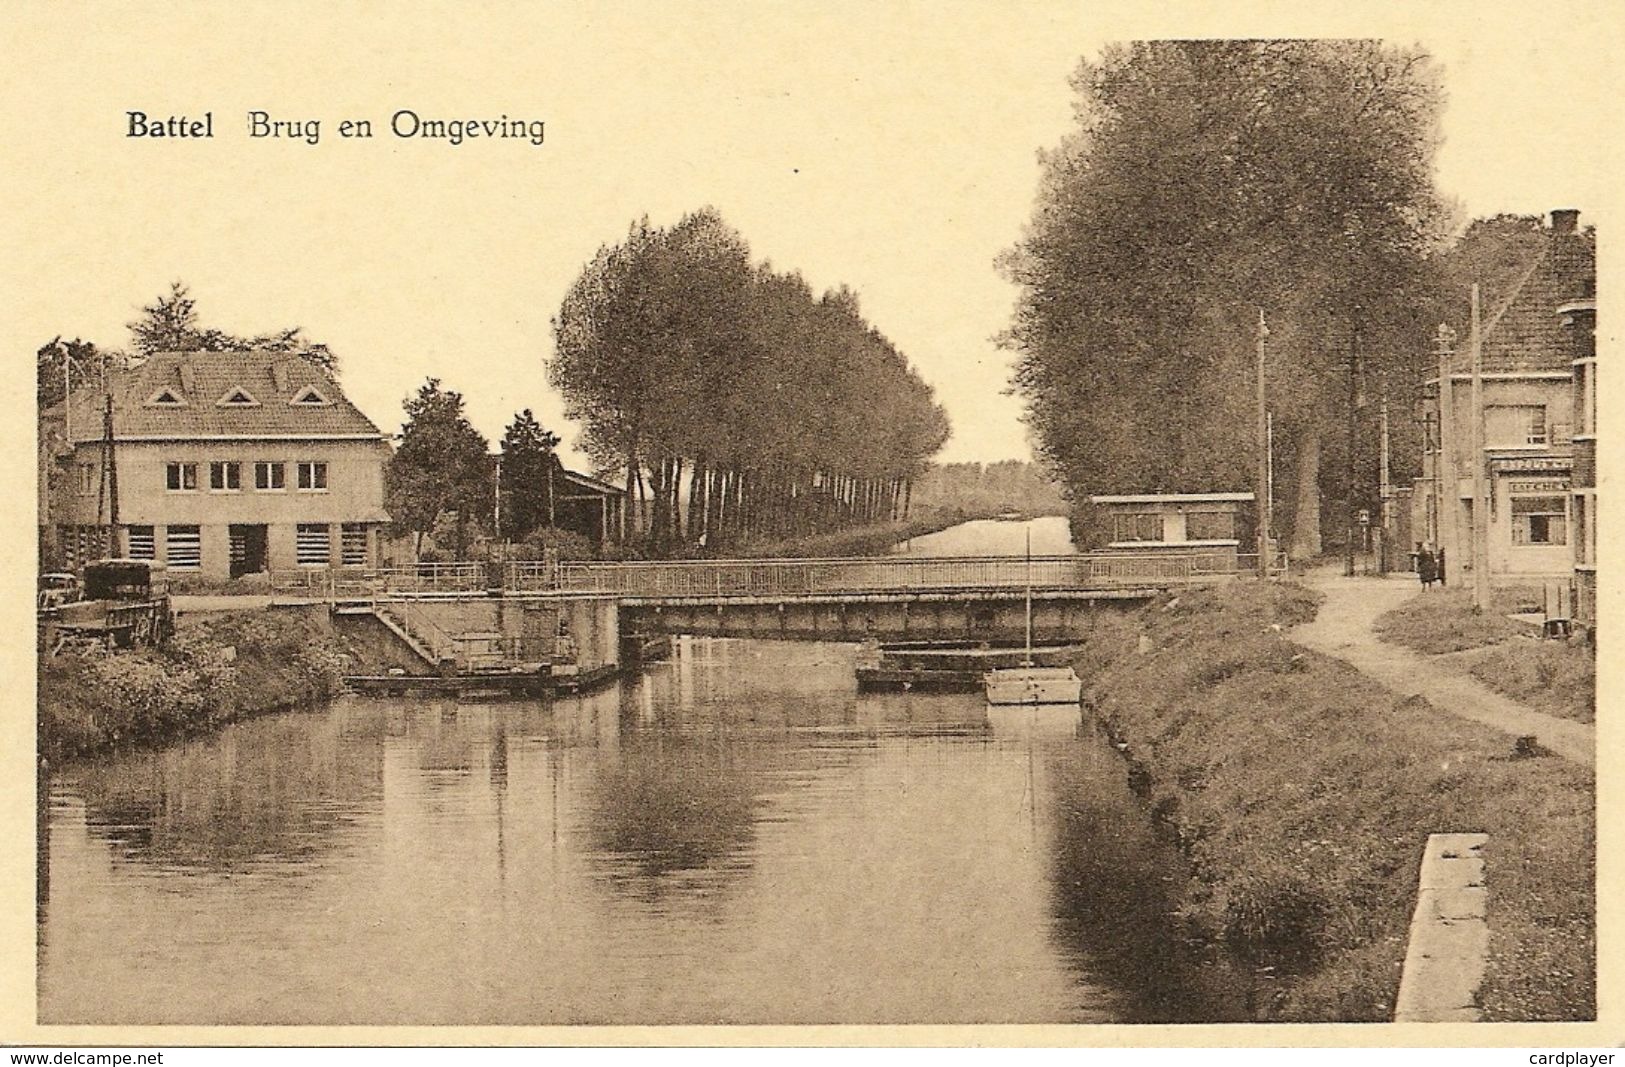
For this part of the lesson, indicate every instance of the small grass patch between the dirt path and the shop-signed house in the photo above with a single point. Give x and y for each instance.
(1551, 676)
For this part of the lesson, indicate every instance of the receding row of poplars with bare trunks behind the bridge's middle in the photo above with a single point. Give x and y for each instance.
(739, 405)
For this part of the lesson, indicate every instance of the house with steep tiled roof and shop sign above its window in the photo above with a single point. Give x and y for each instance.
(1525, 433)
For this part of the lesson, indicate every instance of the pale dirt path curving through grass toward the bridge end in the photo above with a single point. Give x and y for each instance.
(1343, 629)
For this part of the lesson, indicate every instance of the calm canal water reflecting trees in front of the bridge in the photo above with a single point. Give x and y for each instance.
(735, 837)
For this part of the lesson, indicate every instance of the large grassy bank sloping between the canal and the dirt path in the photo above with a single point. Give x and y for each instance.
(1304, 795)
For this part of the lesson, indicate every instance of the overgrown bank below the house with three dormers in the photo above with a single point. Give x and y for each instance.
(217, 670)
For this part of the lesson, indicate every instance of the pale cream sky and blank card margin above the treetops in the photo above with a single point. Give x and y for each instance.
(890, 147)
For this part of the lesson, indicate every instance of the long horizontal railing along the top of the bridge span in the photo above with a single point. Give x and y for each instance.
(810, 577)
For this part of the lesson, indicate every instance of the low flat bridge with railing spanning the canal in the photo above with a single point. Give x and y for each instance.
(971, 598)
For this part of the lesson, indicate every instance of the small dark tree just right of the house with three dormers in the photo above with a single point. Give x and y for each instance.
(441, 465)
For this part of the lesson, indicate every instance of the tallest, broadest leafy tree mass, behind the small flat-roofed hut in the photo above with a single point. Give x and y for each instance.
(1207, 181)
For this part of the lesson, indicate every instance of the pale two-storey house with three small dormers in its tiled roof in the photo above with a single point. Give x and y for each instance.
(222, 464)
